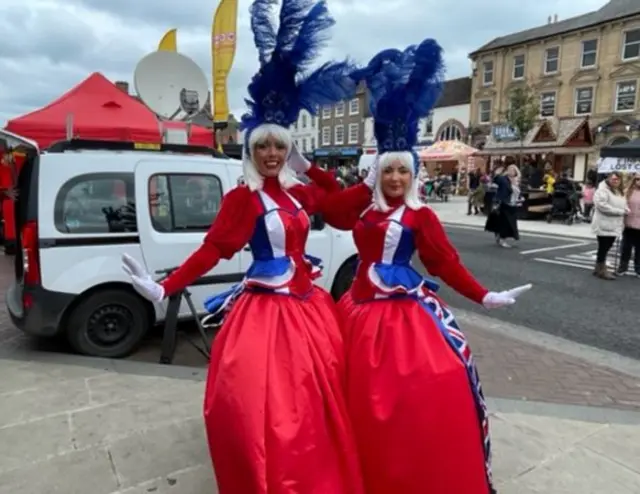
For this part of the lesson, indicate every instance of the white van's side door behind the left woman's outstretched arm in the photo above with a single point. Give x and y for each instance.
(177, 202)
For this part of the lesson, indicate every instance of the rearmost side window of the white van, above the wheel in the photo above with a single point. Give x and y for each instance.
(96, 203)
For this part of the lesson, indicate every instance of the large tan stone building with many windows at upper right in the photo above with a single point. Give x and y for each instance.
(585, 71)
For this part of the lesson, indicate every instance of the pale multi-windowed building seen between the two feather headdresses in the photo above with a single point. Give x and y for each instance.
(341, 130)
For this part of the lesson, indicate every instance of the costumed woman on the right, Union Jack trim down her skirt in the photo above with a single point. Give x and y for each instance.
(412, 388)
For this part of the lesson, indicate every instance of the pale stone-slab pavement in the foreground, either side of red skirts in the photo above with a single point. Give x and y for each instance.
(138, 429)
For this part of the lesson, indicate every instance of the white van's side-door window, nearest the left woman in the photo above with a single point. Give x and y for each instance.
(184, 203)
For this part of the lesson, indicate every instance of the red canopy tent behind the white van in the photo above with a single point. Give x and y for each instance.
(98, 110)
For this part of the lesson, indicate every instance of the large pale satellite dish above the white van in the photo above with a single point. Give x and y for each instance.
(172, 85)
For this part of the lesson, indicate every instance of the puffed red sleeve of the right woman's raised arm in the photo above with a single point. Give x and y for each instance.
(342, 209)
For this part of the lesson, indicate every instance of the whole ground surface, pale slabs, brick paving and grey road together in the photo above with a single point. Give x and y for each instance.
(565, 418)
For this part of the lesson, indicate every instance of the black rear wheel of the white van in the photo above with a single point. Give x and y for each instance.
(108, 324)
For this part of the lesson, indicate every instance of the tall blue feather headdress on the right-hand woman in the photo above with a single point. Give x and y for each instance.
(403, 86)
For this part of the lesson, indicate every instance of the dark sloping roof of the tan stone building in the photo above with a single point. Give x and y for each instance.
(613, 10)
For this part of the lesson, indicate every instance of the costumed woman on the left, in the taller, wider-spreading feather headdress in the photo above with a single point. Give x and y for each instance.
(274, 407)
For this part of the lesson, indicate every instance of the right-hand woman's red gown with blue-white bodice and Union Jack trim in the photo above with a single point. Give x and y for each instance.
(412, 387)
